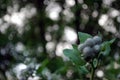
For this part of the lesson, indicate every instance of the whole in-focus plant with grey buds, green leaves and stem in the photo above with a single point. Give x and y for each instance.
(89, 51)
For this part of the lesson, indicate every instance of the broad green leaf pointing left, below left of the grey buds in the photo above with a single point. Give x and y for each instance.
(74, 56)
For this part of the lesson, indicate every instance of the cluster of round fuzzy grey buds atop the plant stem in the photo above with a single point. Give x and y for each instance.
(91, 47)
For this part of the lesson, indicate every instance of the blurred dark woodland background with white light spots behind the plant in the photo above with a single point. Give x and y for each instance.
(33, 34)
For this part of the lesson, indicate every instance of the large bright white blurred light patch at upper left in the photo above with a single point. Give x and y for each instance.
(19, 18)
